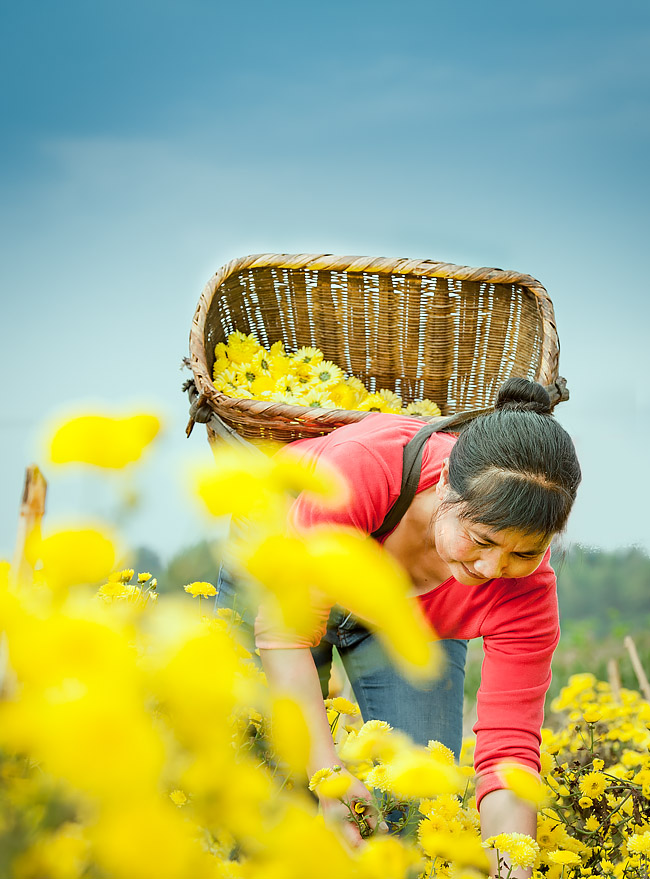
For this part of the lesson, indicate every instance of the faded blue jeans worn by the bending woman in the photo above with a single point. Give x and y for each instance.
(431, 710)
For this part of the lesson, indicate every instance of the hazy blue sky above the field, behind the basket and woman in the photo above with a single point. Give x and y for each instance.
(146, 144)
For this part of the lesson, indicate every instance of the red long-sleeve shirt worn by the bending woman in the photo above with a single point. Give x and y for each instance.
(517, 618)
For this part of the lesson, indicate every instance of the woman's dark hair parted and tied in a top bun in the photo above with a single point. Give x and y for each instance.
(515, 468)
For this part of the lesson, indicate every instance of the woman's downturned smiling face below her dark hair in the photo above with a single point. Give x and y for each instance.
(476, 553)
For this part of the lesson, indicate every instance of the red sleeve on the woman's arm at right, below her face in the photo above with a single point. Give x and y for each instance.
(520, 634)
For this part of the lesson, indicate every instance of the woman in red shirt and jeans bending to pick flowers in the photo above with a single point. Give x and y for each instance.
(475, 541)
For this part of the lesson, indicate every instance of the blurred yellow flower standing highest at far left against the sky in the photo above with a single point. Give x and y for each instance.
(103, 441)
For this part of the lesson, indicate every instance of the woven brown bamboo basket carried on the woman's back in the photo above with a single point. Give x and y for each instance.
(429, 329)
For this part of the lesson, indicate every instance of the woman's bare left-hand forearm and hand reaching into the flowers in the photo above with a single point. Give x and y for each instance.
(293, 671)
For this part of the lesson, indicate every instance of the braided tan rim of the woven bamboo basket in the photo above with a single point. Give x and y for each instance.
(314, 421)
